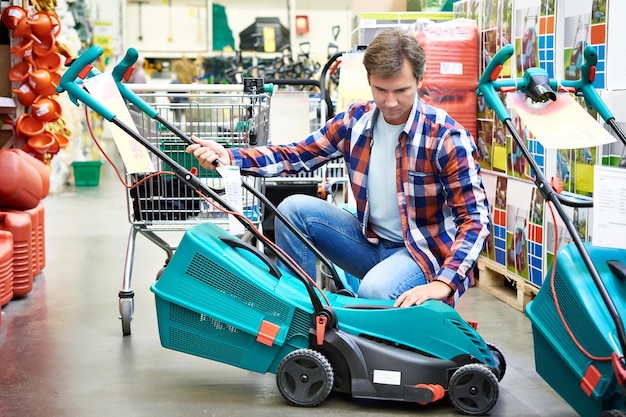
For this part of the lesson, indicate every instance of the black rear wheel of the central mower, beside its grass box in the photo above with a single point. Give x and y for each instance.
(305, 378)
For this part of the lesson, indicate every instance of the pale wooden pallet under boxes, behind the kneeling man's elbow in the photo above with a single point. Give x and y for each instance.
(504, 284)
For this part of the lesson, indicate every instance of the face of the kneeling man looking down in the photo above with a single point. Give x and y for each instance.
(394, 96)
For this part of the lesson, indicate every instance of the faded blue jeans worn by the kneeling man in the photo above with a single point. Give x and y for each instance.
(386, 269)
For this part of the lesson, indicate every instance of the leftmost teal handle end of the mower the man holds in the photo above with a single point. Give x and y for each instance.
(76, 93)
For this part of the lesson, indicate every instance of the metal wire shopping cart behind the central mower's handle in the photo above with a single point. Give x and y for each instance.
(165, 204)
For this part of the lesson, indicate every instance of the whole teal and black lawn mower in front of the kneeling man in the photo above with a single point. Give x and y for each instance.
(223, 299)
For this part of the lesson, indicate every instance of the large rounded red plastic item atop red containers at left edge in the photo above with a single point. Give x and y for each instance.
(21, 187)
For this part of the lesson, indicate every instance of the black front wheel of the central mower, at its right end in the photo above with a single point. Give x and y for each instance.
(473, 389)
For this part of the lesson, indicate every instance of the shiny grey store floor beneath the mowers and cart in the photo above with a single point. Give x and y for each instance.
(62, 353)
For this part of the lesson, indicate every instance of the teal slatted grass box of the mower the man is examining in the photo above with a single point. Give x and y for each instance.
(215, 309)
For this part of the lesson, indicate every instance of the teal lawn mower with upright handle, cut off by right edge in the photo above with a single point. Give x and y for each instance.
(578, 332)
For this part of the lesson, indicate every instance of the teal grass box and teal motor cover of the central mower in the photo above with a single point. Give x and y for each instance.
(212, 300)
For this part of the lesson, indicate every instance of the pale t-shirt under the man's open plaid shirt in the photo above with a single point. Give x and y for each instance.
(384, 215)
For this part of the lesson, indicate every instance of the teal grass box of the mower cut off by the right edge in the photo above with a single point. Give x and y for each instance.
(557, 359)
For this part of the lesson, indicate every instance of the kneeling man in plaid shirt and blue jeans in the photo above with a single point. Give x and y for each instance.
(422, 213)
